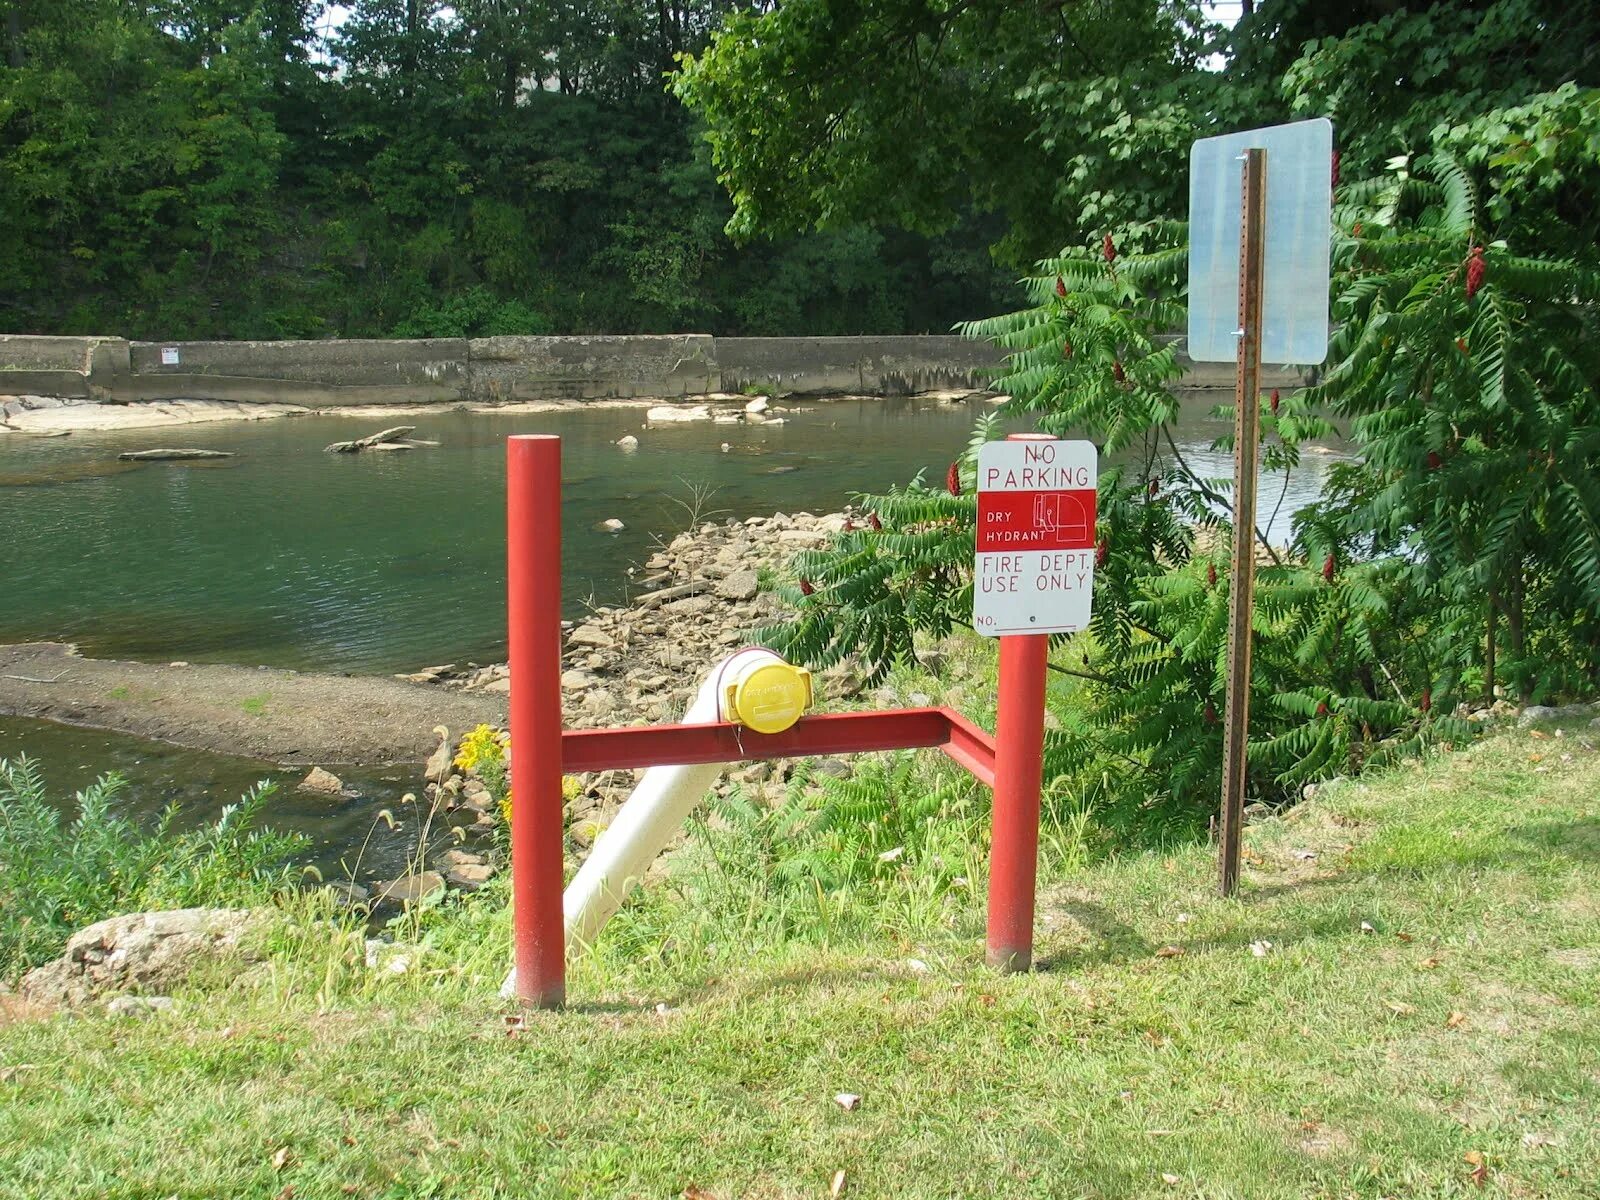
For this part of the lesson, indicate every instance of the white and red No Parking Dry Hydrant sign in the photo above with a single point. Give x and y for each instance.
(1036, 537)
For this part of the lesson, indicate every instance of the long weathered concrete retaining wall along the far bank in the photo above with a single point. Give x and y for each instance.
(329, 374)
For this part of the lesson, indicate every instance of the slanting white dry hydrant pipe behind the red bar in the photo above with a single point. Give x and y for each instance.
(650, 817)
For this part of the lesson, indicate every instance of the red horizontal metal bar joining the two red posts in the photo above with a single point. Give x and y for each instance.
(828, 734)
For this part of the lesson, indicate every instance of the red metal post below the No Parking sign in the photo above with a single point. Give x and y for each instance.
(1020, 764)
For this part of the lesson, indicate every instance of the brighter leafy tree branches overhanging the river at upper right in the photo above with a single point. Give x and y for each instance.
(1076, 118)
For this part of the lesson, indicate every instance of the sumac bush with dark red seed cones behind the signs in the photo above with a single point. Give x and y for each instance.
(1460, 540)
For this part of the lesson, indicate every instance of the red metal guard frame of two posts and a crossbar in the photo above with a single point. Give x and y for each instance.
(543, 751)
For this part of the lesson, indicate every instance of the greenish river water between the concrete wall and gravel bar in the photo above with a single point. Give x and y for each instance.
(287, 556)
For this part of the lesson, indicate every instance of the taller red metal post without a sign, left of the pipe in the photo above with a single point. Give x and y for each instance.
(534, 612)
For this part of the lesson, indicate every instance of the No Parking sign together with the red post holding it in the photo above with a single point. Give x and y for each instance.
(1034, 577)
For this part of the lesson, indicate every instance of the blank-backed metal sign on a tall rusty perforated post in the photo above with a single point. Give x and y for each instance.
(1258, 292)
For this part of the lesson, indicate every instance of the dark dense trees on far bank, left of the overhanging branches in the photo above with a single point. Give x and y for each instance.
(201, 169)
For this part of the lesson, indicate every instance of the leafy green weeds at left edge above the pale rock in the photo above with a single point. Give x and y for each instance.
(58, 876)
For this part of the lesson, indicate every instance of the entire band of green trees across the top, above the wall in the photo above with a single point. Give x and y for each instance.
(249, 169)
